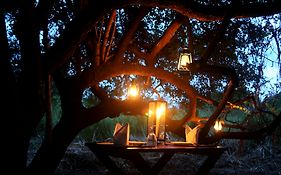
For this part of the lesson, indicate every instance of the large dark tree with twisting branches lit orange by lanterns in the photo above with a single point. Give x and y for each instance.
(89, 48)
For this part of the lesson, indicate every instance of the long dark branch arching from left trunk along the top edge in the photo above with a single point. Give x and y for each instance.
(92, 13)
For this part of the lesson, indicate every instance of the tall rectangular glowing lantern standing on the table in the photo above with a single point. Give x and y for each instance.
(156, 119)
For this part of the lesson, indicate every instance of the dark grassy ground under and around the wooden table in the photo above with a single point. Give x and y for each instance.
(257, 159)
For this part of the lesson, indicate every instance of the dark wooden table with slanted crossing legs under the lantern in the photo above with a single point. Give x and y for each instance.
(103, 150)
